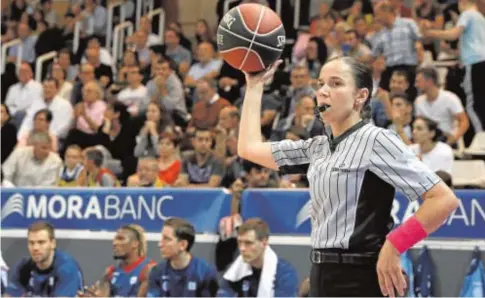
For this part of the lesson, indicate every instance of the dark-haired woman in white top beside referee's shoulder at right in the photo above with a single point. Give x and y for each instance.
(438, 156)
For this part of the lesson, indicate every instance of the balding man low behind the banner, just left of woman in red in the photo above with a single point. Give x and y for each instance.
(146, 174)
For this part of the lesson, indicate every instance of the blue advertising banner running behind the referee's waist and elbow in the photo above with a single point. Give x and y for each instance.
(287, 212)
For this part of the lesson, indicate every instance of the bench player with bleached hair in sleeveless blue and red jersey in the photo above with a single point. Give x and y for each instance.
(129, 278)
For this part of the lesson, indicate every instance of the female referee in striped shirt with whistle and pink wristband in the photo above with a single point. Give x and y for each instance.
(353, 175)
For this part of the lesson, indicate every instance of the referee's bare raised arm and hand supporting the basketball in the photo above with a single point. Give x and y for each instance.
(250, 144)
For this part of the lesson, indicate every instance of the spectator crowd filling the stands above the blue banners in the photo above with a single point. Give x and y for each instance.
(167, 114)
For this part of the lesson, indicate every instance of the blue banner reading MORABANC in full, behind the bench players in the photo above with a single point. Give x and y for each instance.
(107, 209)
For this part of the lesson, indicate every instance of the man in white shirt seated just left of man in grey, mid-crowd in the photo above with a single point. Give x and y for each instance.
(135, 96)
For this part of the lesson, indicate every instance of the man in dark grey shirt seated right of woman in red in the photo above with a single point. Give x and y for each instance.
(201, 169)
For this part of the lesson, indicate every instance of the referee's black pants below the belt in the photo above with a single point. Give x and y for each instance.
(344, 280)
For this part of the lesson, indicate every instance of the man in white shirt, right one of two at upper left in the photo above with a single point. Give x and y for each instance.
(61, 109)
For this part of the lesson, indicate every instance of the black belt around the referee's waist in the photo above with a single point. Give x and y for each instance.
(319, 256)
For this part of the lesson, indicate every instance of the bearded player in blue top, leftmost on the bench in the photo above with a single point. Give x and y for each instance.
(48, 271)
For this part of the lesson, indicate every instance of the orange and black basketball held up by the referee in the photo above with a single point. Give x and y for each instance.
(251, 37)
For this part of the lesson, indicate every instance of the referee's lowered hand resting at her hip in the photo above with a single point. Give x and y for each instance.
(389, 271)
